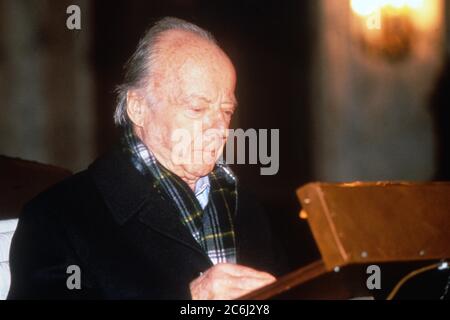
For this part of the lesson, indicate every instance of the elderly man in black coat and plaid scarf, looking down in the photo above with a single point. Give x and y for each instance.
(146, 221)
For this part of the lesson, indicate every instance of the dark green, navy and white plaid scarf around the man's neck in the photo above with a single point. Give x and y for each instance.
(212, 227)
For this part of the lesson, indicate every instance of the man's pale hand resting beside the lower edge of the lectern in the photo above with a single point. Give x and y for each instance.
(227, 282)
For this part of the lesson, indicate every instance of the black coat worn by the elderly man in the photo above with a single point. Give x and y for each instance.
(128, 241)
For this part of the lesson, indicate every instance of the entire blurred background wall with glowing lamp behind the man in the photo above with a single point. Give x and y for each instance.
(358, 89)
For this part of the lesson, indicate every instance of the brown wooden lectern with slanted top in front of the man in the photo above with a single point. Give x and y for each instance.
(399, 227)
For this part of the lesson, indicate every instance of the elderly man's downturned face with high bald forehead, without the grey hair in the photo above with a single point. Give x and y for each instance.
(187, 128)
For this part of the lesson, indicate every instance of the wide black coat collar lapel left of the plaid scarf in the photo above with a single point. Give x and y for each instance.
(127, 193)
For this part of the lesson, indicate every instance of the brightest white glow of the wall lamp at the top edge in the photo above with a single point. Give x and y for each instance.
(368, 7)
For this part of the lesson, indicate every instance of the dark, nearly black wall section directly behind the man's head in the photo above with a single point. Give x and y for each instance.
(270, 44)
